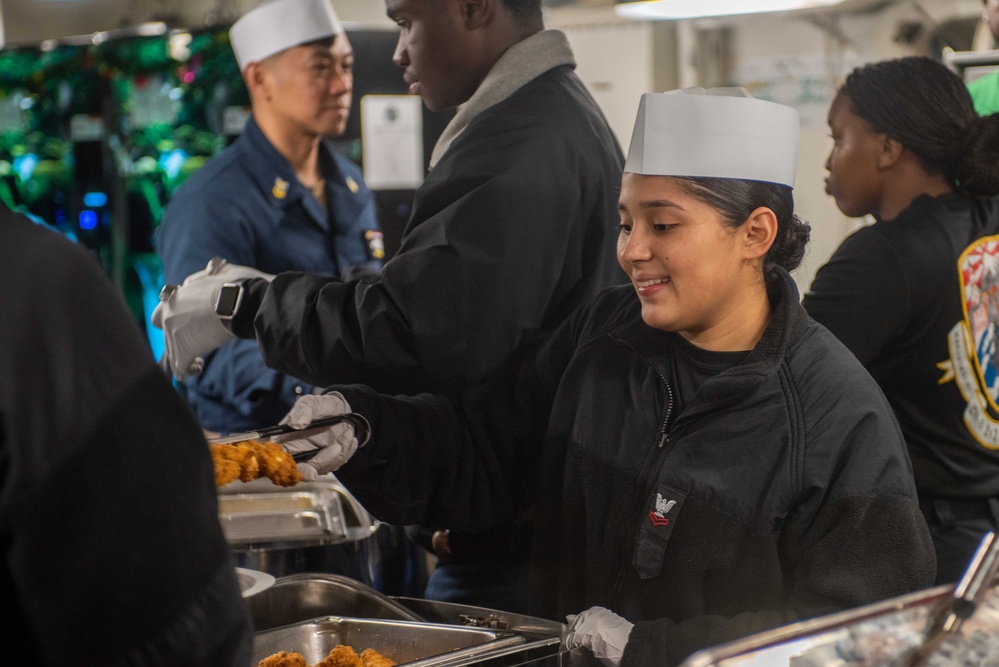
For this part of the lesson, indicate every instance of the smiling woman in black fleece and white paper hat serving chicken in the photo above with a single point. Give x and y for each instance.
(698, 458)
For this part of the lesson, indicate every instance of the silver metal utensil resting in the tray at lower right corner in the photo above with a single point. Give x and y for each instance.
(968, 593)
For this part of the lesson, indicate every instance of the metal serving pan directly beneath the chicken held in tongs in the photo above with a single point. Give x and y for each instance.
(260, 515)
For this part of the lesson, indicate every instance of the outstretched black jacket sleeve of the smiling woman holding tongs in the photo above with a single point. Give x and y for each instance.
(466, 462)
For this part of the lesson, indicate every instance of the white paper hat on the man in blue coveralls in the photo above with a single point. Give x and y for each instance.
(281, 24)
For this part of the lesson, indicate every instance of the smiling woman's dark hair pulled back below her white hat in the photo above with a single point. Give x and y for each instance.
(736, 199)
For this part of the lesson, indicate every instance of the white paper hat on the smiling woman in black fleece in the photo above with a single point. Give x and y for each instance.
(719, 132)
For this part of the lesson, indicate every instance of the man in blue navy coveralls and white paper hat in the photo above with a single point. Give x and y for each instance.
(279, 199)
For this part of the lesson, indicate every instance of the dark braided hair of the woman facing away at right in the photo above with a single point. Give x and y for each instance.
(926, 107)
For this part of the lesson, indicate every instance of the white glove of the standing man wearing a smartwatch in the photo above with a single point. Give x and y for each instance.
(191, 329)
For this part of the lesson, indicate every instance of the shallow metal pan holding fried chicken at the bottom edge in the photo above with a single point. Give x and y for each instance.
(410, 643)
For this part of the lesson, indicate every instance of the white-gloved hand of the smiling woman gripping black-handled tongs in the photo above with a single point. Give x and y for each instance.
(337, 443)
